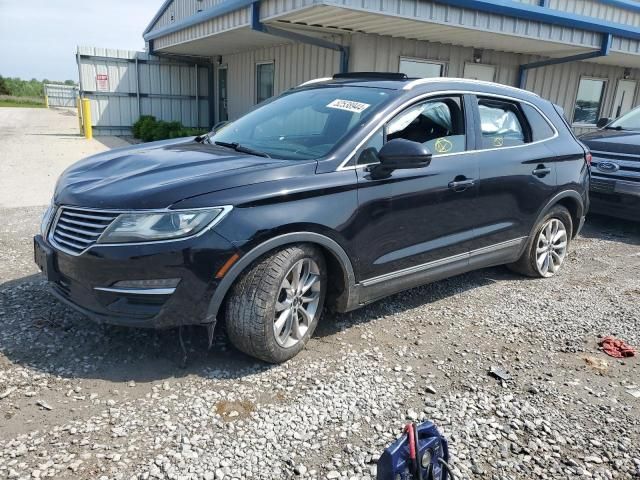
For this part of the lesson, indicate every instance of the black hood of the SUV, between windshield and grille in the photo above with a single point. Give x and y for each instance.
(159, 174)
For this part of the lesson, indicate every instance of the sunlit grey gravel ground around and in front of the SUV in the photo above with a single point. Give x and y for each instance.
(79, 400)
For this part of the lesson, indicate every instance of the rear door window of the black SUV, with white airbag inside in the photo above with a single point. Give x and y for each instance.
(501, 124)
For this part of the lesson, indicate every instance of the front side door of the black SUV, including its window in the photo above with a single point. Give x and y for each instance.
(418, 216)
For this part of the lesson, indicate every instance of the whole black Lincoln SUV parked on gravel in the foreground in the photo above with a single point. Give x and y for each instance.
(334, 194)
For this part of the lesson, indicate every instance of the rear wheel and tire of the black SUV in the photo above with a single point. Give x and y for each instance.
(528, 263)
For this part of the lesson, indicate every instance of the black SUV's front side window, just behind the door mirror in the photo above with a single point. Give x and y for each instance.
(436, 123)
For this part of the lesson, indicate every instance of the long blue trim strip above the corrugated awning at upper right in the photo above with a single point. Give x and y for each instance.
(537, 13)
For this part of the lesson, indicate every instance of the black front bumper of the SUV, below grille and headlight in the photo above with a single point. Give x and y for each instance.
(87, 282)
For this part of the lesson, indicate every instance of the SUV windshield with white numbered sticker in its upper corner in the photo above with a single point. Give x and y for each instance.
(304, 124)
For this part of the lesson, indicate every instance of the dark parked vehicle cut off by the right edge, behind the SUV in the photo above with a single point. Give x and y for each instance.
(615, 172)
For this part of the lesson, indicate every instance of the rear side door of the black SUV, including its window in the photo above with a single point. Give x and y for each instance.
(517, 170)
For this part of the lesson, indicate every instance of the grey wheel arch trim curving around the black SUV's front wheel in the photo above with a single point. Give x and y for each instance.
(338, 263)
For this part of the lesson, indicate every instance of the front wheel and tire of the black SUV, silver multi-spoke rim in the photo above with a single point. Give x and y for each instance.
(260, 298)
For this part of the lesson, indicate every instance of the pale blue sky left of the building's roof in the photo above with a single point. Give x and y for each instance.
(38, 38)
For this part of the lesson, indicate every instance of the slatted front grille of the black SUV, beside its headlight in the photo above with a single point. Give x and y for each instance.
(76, 229)
